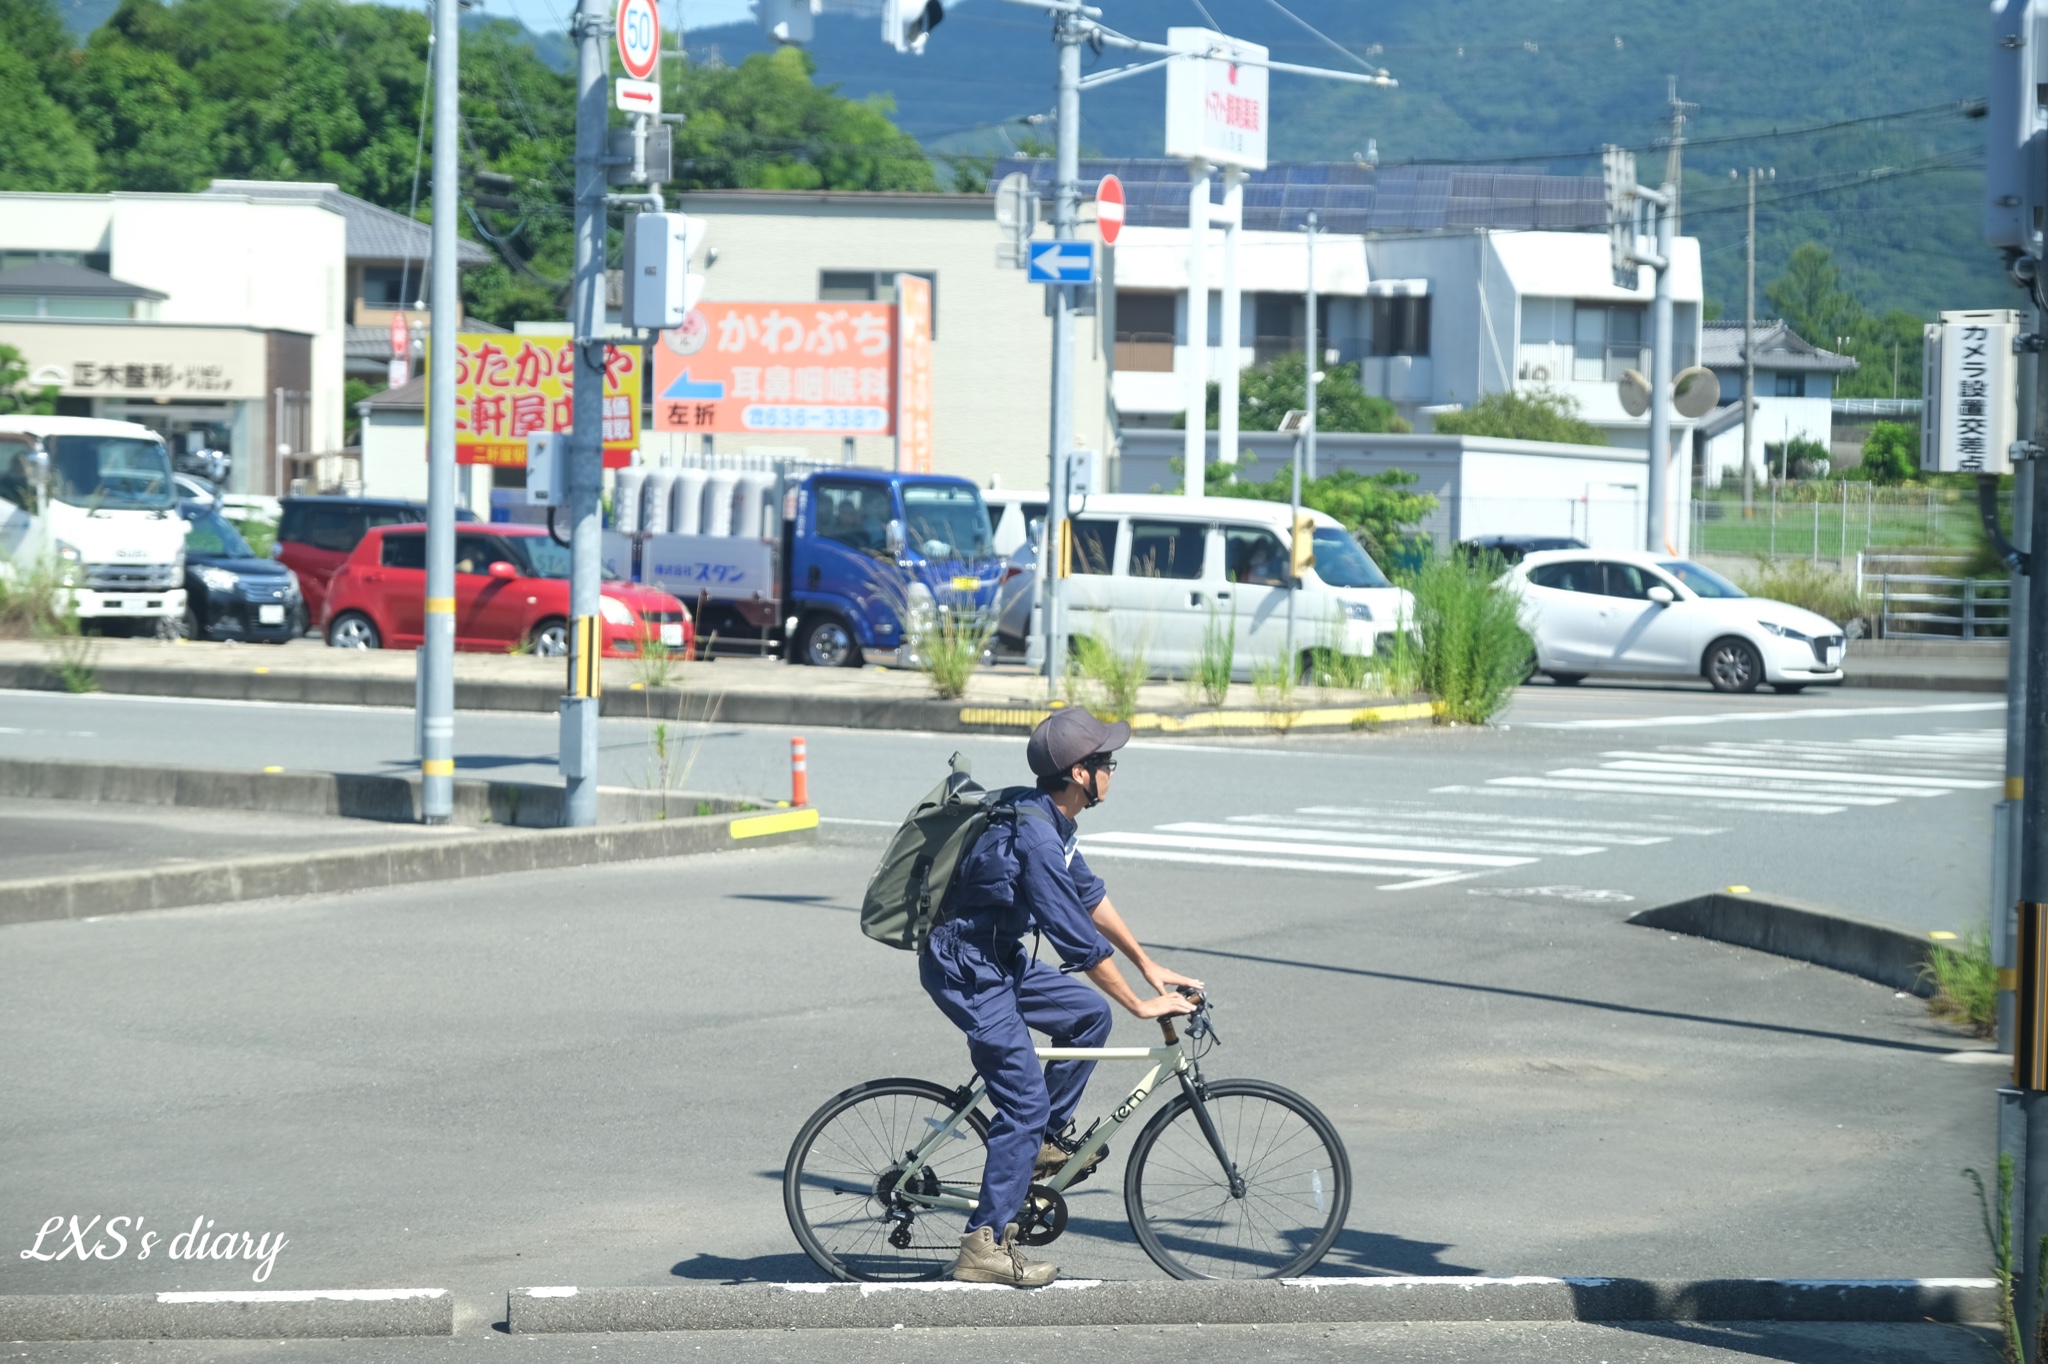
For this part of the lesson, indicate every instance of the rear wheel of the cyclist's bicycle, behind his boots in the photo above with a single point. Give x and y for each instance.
(841, 1183)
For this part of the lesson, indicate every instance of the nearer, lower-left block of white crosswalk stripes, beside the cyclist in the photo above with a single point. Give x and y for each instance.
(1408, 847)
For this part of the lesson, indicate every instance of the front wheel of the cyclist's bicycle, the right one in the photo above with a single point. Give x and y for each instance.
(1281, 1220)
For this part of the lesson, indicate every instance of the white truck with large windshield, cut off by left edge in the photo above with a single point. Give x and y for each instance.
(95, 503)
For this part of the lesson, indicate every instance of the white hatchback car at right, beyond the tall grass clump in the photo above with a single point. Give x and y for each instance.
(1662, 617)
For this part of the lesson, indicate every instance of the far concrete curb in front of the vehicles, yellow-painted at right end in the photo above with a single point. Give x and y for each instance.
(677, 706)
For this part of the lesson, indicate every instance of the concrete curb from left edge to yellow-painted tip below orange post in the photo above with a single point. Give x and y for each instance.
(359, 869)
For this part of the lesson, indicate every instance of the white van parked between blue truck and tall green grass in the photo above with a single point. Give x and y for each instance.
(1158, 570)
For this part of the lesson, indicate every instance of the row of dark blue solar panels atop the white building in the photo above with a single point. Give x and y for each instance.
(1351, 198)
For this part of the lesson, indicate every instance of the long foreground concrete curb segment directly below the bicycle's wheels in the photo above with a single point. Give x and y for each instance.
(751, 1308)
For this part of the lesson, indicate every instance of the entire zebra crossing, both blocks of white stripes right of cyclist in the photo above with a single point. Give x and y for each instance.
(1410, 847)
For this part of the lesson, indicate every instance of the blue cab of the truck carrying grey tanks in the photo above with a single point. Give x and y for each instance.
(871, 552)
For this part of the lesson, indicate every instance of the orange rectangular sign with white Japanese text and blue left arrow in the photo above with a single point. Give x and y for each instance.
(822, 370)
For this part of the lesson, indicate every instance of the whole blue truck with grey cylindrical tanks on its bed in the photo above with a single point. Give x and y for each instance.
(828, 568)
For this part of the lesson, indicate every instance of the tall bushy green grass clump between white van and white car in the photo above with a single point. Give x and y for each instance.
(1474, 648)
